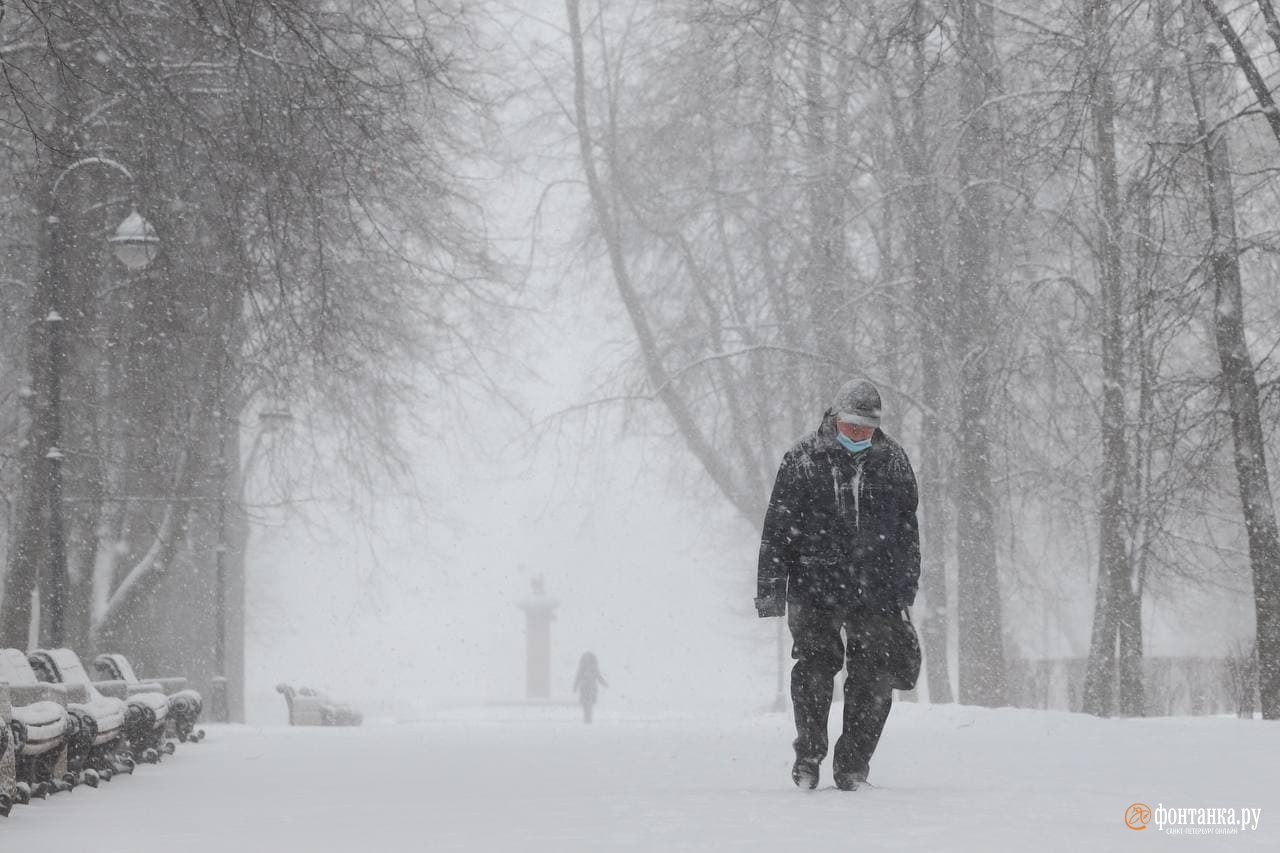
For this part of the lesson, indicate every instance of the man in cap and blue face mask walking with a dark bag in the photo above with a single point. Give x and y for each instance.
(842, 551)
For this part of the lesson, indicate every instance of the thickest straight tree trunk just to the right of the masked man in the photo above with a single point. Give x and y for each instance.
(982, 655)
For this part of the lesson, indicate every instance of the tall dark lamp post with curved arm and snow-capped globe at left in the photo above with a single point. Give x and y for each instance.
(135, 245)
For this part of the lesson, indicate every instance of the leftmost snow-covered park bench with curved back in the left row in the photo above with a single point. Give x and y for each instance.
(38, 732)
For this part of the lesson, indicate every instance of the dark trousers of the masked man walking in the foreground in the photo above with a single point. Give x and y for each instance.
(821, 653)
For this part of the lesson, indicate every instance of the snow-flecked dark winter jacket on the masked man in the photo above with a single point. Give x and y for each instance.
(842, 528)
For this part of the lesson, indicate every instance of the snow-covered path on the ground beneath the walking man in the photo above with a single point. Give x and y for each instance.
(534, 779)
